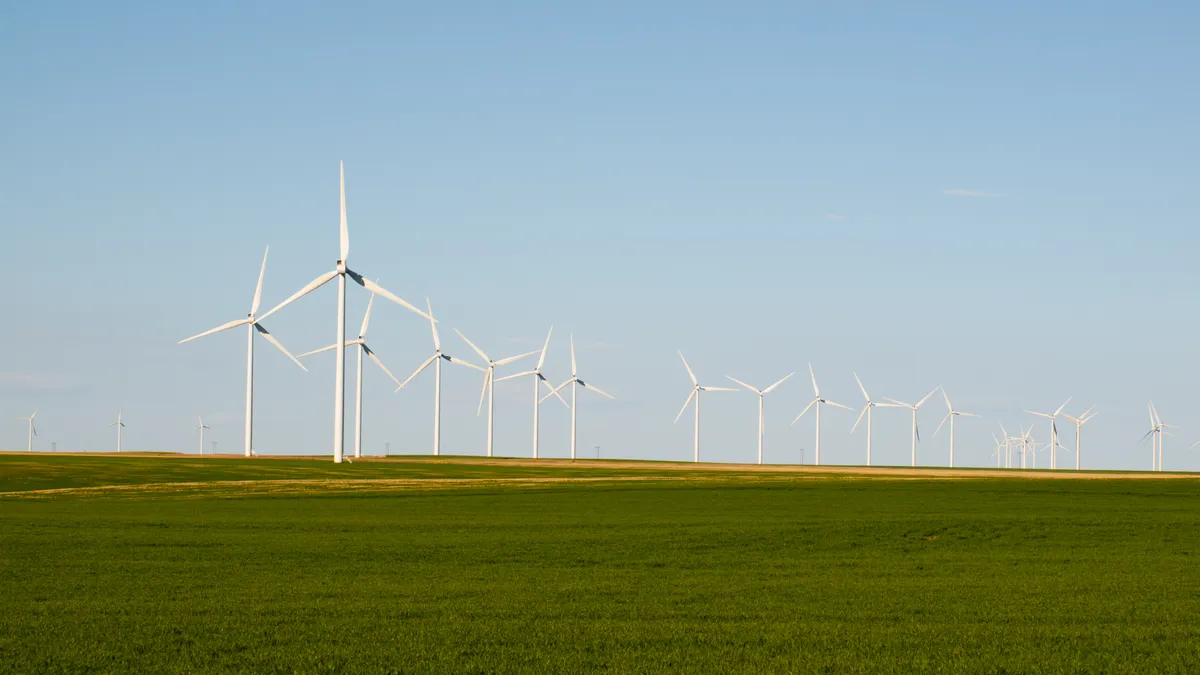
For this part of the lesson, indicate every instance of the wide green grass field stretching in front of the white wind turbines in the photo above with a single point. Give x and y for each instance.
(668, 572)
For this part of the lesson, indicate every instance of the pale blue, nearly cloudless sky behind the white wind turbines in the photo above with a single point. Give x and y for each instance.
(995, 198)
